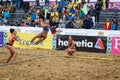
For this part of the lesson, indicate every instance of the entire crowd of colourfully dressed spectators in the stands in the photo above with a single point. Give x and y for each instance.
(63, 14)
